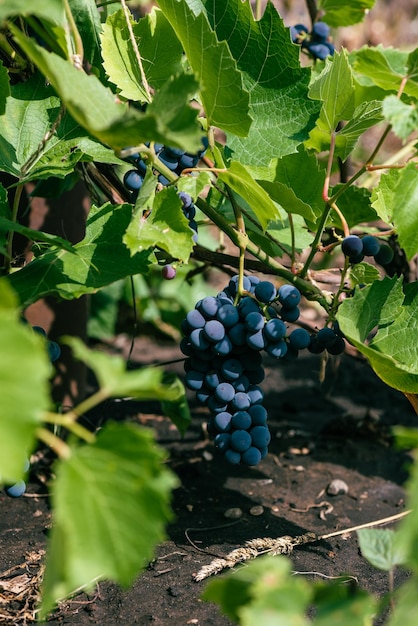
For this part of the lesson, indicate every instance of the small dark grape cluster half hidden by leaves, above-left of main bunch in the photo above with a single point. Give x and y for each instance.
(175, 159)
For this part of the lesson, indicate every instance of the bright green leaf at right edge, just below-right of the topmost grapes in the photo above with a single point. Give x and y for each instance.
(387, 68)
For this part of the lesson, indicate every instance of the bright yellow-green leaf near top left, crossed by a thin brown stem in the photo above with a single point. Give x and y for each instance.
(160, 61)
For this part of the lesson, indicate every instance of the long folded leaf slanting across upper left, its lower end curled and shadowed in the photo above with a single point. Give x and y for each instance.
(102, 115)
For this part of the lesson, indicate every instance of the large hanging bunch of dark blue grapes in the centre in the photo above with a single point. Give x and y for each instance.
(223, 341)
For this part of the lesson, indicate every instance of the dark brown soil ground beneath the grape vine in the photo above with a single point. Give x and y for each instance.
(320, 432)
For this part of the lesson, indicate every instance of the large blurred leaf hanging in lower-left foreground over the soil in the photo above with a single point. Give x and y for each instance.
(111, 505)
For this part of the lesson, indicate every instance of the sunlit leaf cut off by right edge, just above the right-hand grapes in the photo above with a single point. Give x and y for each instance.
(395, 199)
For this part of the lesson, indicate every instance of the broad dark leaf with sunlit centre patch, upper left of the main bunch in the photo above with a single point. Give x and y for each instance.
(99, 259)
